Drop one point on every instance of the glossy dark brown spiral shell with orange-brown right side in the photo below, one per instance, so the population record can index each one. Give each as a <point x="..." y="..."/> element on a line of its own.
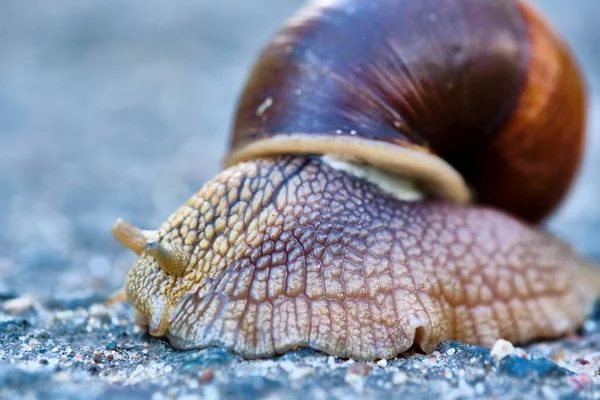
<point x="485" y="85"/>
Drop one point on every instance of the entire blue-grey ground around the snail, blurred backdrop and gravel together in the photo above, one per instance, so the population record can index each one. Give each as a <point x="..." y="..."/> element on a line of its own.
<point x="112" y="108"/>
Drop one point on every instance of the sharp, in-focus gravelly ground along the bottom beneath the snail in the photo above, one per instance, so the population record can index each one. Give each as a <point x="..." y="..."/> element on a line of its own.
<point x="94" y="352"/>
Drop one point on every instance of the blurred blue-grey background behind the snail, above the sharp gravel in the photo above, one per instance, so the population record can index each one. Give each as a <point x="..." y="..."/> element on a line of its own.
<point x="122" y="109"/>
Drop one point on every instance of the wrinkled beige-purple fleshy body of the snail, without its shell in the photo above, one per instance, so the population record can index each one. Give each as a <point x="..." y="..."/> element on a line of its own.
<point x="290" y="252"/>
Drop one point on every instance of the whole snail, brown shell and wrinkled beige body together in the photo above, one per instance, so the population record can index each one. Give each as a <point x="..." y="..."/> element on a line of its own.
<point x="345" y="219"/>
